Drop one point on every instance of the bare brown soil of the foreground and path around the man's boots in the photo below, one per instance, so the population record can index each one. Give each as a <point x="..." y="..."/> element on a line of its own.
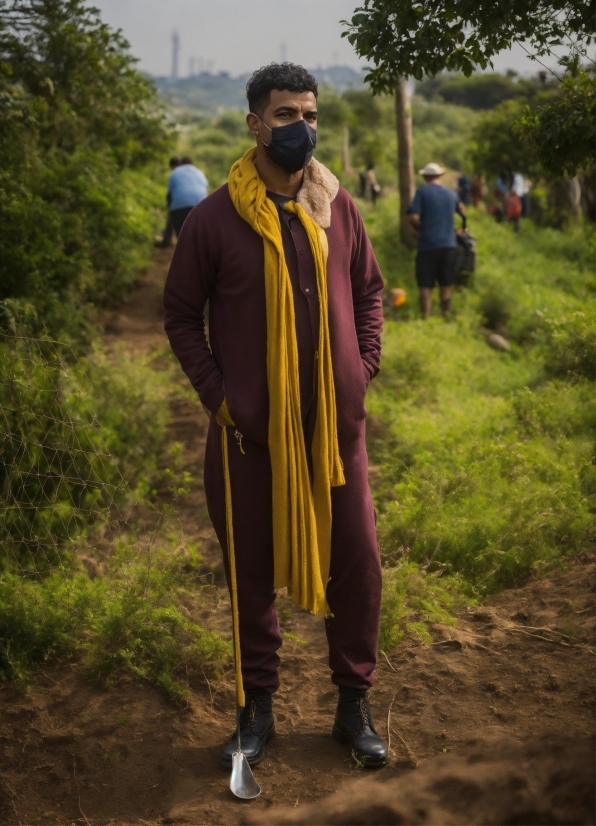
<point x="490" y="724"/>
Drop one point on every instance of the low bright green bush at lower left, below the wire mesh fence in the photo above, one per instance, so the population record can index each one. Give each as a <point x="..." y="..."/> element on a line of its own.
<point x="140" y="620"/>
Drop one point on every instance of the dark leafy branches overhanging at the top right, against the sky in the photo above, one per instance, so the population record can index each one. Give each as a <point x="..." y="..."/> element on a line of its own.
<point x="410" y="38"/>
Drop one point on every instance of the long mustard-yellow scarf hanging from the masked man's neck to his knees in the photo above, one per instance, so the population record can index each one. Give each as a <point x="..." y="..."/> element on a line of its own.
<point x="301" y="511"/>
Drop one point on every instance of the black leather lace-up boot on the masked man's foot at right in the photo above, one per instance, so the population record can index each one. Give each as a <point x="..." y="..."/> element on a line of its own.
<point x="354" y="725"/>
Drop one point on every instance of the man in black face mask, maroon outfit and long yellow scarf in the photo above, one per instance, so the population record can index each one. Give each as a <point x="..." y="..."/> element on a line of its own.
<point x="295" y="319"/>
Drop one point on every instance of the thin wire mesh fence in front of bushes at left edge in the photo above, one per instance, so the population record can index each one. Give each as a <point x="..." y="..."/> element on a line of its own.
<point x="60" y="486"/>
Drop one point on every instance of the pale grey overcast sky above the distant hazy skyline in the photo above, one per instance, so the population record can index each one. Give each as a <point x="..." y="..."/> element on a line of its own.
<point x="240" y="35"/>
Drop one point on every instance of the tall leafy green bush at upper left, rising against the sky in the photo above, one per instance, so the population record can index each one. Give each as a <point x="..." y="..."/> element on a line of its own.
<point x="77" y="124"/>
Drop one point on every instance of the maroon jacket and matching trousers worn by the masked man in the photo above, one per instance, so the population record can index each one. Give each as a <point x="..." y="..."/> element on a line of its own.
<point x="220" y="259"/>
